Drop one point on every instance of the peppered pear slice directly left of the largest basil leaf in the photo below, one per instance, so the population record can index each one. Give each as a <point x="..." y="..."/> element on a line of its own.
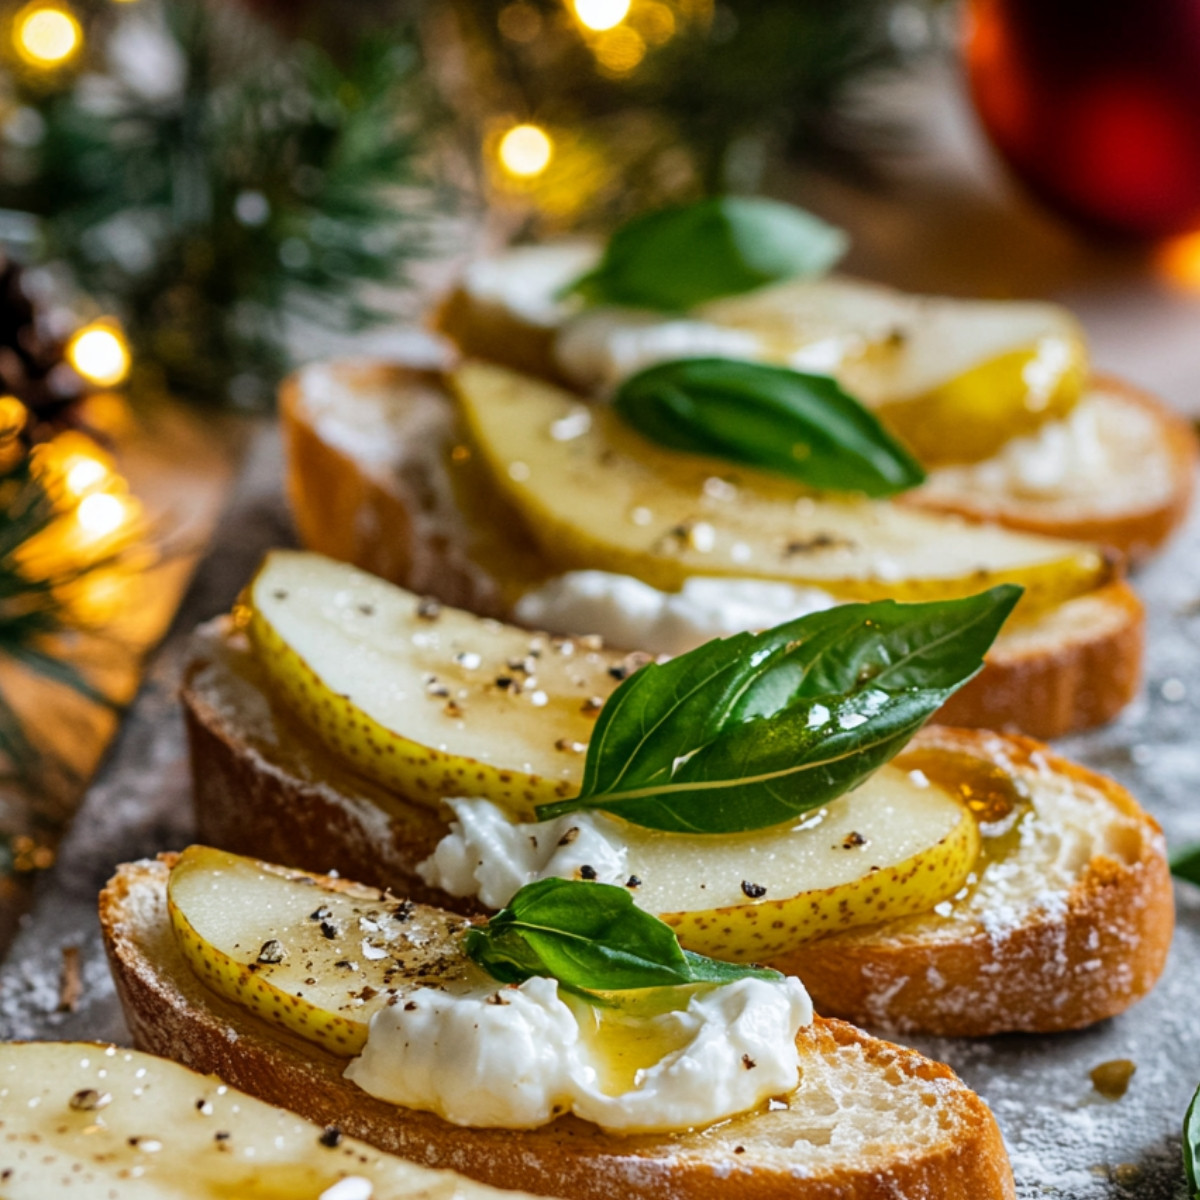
<point x="424" y="700"/>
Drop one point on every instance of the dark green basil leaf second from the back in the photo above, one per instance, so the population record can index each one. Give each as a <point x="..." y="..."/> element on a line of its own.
<point x="799" y="425"/>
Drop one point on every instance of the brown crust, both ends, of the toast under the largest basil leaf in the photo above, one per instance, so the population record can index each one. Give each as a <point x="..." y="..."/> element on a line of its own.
<point x="269" y="801"/>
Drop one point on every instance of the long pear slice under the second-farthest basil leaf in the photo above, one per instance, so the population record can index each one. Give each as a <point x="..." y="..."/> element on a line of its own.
<point x="607" y="499"/>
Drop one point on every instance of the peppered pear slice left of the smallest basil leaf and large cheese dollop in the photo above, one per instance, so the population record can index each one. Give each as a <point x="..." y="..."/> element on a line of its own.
<point x="314" y="961"/>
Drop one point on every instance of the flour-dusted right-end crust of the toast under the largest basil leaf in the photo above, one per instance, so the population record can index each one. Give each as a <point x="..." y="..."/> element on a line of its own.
<point x="1064" y="969"/>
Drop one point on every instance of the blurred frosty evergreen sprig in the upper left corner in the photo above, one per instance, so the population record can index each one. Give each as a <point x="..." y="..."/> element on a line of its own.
<point x="253" y="188"/>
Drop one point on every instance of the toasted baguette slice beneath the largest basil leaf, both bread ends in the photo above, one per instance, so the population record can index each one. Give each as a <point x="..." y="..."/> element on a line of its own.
<point x="1071" y="927"/>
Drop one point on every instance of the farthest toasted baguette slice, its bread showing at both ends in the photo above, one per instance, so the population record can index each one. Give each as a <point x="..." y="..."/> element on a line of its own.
<point x="1141" y="455"/>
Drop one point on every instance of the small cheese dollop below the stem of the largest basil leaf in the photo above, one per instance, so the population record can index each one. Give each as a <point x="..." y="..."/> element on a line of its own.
<point x="487" y="855"/>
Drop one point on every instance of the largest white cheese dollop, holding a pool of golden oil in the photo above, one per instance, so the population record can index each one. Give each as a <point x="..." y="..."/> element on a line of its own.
<point x="519" y="1058"/>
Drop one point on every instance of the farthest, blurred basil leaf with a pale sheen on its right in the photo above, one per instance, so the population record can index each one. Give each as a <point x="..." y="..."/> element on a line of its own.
<point x="677" y="259"/>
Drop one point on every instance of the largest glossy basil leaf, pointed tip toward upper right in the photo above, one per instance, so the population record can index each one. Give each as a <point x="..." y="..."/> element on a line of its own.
<point x="751" y="731"/>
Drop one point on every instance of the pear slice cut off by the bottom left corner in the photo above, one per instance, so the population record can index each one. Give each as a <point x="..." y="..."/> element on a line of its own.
<point x="95" y="1123"/>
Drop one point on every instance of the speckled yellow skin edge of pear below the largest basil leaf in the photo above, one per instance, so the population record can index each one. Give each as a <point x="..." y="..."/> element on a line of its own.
<point x="759" y="932"/>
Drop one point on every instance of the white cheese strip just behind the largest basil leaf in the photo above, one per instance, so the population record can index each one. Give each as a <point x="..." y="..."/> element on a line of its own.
<point x="628" y="613"/>
